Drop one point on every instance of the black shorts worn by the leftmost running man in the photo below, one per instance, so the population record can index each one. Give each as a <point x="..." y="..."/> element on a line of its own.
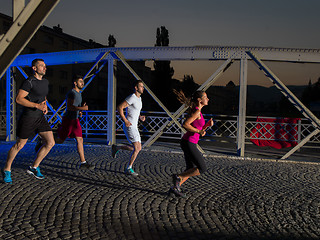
<point x="29" y="125"/>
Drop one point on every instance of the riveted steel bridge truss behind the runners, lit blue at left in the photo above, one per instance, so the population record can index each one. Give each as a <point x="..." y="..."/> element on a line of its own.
<point x="227" y="54"/>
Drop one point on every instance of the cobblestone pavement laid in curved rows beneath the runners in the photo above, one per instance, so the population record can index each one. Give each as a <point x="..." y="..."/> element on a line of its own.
<point x="235" y="199"/>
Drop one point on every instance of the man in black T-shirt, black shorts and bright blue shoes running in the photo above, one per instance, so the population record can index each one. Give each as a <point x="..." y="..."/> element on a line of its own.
<point x="32" y="96"/>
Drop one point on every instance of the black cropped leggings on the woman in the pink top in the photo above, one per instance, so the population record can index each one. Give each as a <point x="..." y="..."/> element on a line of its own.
<point x="193" y="156"/>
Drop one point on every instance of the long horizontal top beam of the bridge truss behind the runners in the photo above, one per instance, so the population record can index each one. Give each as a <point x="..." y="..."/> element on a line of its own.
<point x="175" y="53"/>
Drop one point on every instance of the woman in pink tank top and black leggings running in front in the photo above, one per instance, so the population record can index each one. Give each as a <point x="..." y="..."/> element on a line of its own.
<point x="196" y="127"/>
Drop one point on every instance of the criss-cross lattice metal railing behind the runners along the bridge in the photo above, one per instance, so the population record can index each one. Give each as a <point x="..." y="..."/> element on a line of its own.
<point x="95" y="123"/>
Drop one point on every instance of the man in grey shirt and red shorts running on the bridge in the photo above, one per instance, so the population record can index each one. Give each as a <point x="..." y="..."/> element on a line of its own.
<point x="70" y="126"/>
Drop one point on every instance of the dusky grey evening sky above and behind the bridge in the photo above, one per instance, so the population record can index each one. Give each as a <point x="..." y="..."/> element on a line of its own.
<point x="263" y="23"/>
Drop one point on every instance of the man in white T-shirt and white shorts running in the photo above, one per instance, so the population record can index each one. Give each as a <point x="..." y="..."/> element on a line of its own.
<point x="133" y="104"/>
